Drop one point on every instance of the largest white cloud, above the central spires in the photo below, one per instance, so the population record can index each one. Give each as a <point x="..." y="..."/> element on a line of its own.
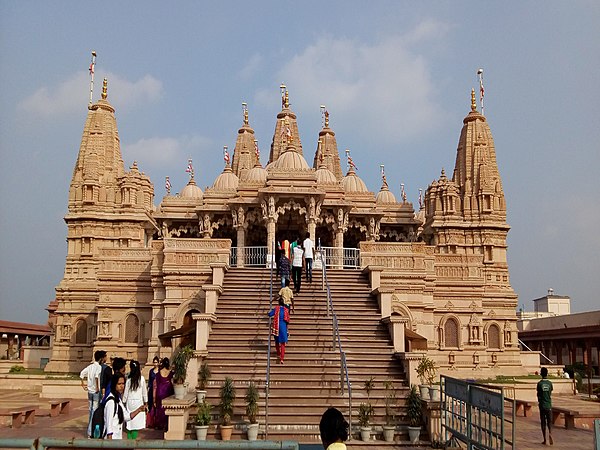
<point x="385" y="87"/>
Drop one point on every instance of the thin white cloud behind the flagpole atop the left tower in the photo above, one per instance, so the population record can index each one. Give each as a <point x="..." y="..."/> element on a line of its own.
<point x="72" y="95"/>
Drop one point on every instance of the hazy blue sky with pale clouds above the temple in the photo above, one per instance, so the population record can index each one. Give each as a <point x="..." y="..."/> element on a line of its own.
<point x="395" y="75"/>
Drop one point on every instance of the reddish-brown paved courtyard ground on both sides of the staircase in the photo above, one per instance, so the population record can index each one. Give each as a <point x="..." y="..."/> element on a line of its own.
<point x="74" y="425"/>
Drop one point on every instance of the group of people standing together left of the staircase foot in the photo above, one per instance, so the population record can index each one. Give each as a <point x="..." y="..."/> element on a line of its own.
<point x="128" y="402"/>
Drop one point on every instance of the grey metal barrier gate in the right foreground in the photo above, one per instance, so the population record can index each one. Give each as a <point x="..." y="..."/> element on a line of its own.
<point x="478" y="415"/>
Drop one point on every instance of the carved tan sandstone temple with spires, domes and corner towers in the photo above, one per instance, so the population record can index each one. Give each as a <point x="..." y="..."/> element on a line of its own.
<point x="141" y="279"/>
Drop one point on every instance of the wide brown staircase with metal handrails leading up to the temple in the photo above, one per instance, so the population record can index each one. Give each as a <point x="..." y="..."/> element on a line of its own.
<point x="309" y="380"/>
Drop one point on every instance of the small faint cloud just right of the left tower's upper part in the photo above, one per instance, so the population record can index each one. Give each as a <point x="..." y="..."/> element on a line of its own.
<point x="166" y="152"/>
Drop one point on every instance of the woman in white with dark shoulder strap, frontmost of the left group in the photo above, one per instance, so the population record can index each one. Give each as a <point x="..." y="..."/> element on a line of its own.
<point x="115" y="411"/>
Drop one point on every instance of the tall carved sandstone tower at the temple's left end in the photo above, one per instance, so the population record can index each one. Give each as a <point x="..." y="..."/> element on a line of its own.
<point x="109" y="208"/>
